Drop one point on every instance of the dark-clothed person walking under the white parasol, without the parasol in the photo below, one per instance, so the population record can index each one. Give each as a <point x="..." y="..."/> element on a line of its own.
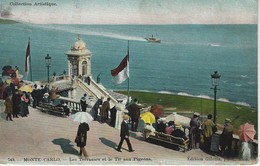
<point x="81" y="138"/>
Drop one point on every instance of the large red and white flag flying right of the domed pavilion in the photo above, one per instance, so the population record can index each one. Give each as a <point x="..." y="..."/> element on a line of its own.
<point x="121" y="73"/>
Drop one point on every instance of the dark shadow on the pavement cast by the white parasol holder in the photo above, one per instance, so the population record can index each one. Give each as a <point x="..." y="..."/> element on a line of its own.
<point x="65" y="146"/>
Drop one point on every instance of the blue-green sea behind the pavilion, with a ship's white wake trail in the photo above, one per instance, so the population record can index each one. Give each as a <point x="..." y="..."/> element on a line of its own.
<point x="181" y="64"/>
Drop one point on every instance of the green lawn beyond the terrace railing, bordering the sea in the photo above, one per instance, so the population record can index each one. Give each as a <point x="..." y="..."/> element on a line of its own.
<point x="202" y="106"/>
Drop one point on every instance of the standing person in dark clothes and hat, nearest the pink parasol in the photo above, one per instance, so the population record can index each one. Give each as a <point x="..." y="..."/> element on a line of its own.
<point x="226" y="137"/>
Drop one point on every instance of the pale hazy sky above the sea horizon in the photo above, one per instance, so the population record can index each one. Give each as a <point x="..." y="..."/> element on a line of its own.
<point x="133" y="11"/>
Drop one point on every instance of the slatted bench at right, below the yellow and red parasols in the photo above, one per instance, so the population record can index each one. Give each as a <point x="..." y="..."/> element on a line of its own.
<point x="168" y="139"/>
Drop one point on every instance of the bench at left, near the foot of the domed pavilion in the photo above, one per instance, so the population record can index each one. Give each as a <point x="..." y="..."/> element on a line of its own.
<point x="51" y="109"/>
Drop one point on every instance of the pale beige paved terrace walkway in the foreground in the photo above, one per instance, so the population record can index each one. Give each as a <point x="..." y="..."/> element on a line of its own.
<point x="47" y="139"/>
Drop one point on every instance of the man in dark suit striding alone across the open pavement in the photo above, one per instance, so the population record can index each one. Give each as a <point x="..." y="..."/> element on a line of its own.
<point x="124" y="134"/>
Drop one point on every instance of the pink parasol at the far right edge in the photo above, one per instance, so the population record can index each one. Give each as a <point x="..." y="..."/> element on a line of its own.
<point x="247" y="132"/>
